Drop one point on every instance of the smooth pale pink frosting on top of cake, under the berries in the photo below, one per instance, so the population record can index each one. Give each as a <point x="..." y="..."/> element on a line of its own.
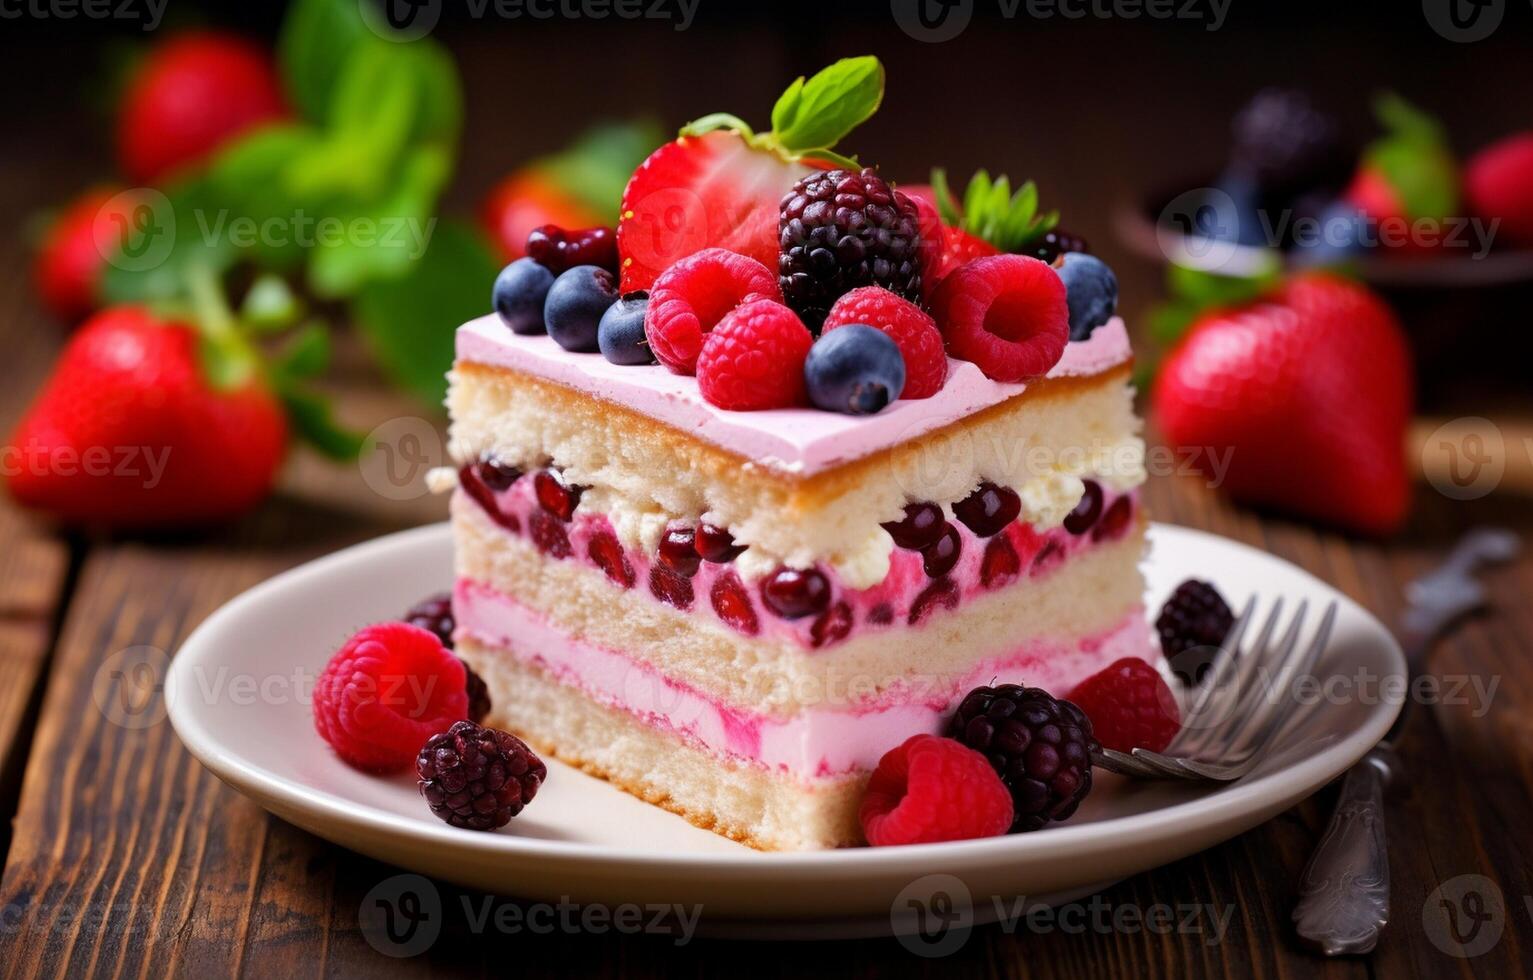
<point x="799" y="441"/>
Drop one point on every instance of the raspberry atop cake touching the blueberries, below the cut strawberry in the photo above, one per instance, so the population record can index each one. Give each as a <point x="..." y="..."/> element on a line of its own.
<point x="692" y="297"/>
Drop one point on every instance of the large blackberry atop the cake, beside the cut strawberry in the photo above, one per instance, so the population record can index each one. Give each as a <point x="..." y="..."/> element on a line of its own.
<point x="839" y="231"/>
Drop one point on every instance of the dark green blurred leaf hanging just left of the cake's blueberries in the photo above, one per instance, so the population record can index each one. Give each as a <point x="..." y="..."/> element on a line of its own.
<point x="410" y="321"/>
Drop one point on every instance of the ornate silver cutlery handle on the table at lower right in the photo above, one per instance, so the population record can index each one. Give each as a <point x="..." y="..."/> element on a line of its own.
<point x="1344" y="896"/>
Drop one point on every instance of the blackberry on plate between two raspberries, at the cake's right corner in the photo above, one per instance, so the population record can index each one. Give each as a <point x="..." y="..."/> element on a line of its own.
<point x="1040" y="745"/>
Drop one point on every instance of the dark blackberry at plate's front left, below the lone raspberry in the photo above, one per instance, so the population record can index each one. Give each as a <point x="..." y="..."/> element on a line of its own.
<point x="478" y="778"/>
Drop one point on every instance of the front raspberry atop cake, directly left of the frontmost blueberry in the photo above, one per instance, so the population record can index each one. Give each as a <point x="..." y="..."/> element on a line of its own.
<point x="755" y="360"/>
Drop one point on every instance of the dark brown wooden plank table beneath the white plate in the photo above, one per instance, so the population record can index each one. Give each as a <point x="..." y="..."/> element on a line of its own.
<point x="125" y="858"/>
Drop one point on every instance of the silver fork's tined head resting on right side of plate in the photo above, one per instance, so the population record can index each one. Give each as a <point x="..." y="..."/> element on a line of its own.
<point x="1244" y="720"/>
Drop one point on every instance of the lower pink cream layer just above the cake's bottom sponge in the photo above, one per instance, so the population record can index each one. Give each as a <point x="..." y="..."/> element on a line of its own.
<point x="822" y="742"/>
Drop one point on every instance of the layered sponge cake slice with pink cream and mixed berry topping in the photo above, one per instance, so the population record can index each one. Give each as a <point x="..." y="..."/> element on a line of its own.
<point x="729" y="539"/>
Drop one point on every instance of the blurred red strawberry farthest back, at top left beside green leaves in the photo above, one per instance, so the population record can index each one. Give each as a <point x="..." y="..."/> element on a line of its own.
<point x="194" y="94"/>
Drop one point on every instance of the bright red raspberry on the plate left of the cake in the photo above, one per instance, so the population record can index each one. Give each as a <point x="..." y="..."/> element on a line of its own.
<point x="386" y="692"/>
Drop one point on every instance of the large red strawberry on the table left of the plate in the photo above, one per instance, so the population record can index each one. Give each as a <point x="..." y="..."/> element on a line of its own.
<point x="130" y="432"/>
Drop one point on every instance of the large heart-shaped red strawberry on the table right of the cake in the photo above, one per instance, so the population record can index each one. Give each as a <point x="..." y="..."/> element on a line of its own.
<point x="1308" y="393"/>
